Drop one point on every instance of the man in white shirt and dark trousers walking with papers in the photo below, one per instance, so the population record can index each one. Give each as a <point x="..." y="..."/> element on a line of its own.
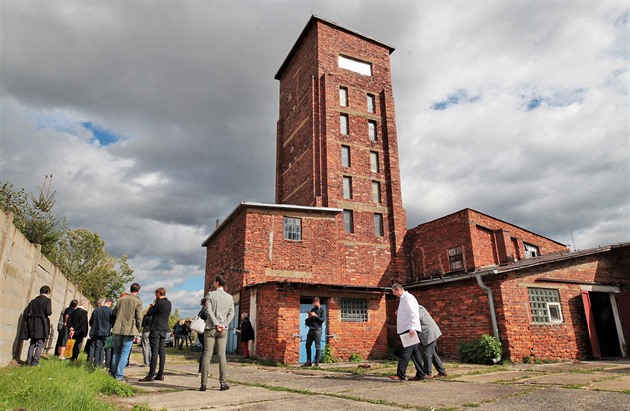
<point x="407" y="321"/>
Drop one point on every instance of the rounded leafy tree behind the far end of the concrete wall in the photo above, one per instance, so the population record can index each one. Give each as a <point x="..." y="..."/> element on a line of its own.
<point x="81" y="256"/>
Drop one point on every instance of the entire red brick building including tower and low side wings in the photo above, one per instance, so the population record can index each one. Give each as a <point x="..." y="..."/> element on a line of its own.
<point x="338" y="231"/>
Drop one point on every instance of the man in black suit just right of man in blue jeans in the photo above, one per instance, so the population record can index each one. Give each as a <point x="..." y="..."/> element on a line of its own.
<point x="160" y="311"/>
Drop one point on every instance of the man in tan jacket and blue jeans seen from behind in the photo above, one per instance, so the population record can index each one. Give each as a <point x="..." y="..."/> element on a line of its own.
<point x="128" y="319"/>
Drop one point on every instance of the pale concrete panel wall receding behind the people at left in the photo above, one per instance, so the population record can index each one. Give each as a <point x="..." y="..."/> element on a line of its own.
<point x="23" y="270"/>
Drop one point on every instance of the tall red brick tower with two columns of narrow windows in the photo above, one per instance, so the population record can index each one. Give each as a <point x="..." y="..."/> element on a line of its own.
<point x="336" y="138"/>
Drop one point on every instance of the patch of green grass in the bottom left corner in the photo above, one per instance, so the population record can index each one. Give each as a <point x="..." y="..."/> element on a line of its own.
<point x="59" y="385"/>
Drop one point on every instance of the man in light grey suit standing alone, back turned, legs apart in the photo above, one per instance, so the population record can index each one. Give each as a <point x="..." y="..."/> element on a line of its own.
<point x="220" y="308"/>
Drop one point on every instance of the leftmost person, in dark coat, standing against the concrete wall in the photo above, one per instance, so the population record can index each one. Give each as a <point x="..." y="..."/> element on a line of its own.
<point x="38" y="324"/>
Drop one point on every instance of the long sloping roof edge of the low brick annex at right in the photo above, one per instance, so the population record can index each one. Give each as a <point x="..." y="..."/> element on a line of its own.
<point x="519" y="265"/>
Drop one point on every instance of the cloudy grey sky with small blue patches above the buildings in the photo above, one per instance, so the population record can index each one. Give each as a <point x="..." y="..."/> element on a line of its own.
<point x="157" y="118"/>
